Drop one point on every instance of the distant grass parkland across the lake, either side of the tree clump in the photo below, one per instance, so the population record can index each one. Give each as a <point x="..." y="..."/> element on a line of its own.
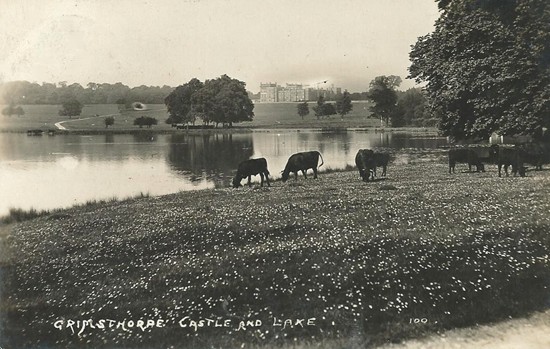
<point x="267" y="115"/>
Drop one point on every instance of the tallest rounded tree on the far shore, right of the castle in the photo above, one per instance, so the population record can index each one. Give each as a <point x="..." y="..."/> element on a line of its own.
<point x="382" y="92"/>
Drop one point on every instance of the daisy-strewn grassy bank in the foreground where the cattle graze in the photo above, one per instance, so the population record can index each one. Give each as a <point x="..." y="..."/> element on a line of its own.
<point x="364" y="259"/>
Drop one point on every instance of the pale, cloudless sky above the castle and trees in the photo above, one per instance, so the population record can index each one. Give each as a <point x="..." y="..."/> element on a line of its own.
<point x="168" y="42"/>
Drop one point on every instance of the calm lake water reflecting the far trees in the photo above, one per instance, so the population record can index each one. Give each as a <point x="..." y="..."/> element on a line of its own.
<point x="50" y="172"/>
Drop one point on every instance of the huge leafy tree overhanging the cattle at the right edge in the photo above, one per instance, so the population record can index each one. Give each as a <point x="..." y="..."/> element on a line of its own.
<point x="487" y="67"/>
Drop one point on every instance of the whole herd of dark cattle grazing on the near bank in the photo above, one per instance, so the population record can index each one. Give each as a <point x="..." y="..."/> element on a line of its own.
<point x="368" y="160"/>
